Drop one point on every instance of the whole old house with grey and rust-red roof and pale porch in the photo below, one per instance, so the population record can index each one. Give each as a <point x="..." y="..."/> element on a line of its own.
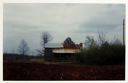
<point x="61" y="51"/>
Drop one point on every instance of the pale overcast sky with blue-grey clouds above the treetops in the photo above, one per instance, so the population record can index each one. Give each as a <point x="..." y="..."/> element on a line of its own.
<point x="28" y="21"/>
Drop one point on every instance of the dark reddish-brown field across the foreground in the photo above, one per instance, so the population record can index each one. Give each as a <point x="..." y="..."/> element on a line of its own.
<point x="38" y="71"/>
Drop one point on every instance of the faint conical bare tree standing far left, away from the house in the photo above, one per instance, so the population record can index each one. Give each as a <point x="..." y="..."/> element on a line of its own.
<point x="23" y="48"/>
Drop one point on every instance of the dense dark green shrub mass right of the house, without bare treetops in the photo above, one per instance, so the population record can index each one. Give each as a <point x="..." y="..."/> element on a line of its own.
<point x="104" y="55"/>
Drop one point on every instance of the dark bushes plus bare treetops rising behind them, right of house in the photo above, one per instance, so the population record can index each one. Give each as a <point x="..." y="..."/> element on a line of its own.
<point x="102" y="52"/>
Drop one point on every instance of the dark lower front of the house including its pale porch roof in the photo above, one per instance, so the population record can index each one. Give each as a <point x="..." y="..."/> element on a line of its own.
<point x="59" y="54"/>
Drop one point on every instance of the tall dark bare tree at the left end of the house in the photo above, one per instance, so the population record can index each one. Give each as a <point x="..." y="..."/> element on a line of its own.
<point x="45" y="38"/>
